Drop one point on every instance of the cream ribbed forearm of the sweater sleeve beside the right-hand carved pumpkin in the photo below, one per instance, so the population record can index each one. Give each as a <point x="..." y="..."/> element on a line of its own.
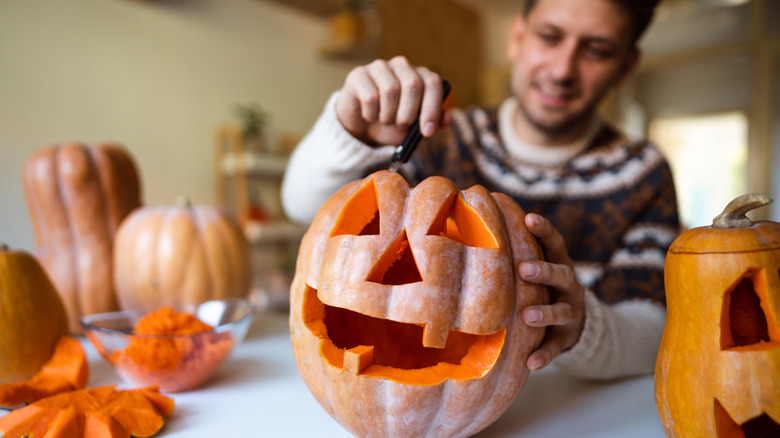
<point x="618" y="340"/>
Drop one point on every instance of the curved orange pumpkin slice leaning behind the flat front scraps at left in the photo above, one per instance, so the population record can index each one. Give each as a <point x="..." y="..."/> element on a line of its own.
<point x="65" y="371"/>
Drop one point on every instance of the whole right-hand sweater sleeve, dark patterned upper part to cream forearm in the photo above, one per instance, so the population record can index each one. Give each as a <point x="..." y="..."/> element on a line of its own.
<point x="625" y="309"/>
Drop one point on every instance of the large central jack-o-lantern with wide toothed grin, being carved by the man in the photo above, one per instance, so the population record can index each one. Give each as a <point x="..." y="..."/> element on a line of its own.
<point x="405" y="307"/>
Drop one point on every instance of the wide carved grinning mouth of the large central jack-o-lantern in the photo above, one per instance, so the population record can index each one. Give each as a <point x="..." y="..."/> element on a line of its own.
<point x="382" y="348"/>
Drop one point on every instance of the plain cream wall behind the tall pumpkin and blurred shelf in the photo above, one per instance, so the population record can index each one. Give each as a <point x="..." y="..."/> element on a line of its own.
<point x="156" y="76"/>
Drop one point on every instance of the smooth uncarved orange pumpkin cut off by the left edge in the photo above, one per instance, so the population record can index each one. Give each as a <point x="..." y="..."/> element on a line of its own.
<point x="32" y="316"/>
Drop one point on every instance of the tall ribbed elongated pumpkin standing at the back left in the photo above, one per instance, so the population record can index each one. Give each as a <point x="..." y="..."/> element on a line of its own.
<point x="77" y="195"/>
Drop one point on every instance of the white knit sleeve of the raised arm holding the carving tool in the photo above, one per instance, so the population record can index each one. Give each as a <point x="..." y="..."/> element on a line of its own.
<point x="327" y="158"/>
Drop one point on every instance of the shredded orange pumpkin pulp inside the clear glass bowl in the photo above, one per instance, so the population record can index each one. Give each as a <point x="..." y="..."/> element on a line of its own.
<point x="173" y="362"/>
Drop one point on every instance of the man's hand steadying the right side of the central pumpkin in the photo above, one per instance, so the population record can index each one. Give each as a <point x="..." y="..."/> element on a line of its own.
<point x="565" y="315"/>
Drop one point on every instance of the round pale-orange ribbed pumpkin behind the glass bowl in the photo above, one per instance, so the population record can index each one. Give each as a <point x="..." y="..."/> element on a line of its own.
<point x="171" y="255"/>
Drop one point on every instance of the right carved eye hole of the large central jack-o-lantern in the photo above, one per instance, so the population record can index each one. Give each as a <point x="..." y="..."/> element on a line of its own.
<point x="458" y="221"/>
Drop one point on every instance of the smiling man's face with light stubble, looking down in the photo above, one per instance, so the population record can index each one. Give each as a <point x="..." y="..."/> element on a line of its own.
<point x="566" y="55"/>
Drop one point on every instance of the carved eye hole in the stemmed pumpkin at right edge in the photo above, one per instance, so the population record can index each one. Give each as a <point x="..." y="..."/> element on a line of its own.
<point x="746" y="318"/>
